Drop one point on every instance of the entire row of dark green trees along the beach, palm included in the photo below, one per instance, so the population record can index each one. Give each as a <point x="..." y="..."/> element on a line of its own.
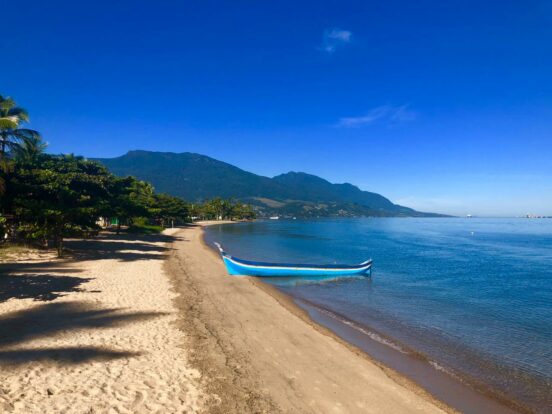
<point x="46" y="198"/>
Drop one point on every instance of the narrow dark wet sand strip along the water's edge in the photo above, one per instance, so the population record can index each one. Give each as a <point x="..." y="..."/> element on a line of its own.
<point x="412" y="370"/>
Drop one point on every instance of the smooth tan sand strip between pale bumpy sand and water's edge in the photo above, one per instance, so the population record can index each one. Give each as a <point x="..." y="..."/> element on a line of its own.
<point x="259" y="351"/>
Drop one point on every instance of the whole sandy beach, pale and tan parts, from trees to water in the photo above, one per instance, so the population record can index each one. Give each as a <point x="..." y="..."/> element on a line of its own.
<point x="154" y="324"/>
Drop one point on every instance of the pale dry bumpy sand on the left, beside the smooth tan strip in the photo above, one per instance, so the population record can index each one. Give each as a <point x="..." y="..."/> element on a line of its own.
<point x="112" y="348"/>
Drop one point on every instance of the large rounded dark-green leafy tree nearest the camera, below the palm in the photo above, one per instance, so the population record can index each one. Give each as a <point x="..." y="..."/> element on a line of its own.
<point x="62" y="197"/>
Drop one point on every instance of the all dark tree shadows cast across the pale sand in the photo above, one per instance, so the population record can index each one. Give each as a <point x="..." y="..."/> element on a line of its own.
<point x="47" y="280"/>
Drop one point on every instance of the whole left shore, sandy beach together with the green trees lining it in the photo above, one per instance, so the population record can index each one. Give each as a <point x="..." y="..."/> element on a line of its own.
<point x="137" y="319"/>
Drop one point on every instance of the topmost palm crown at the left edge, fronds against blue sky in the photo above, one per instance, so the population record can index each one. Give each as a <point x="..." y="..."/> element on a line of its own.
<point x="11" y="117"/>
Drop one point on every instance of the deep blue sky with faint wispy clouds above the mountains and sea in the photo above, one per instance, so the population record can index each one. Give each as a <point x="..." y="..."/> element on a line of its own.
<point x="439" y="105"/>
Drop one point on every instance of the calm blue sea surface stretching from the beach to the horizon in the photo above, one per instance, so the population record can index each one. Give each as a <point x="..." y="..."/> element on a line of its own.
<point x="471" y="297"/>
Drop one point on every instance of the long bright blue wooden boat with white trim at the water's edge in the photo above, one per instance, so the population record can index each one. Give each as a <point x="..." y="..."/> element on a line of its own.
<point x="243" y="267"/>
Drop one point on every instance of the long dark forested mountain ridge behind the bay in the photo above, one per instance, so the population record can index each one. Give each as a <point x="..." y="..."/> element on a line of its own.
<point x="196" y="177"/>
